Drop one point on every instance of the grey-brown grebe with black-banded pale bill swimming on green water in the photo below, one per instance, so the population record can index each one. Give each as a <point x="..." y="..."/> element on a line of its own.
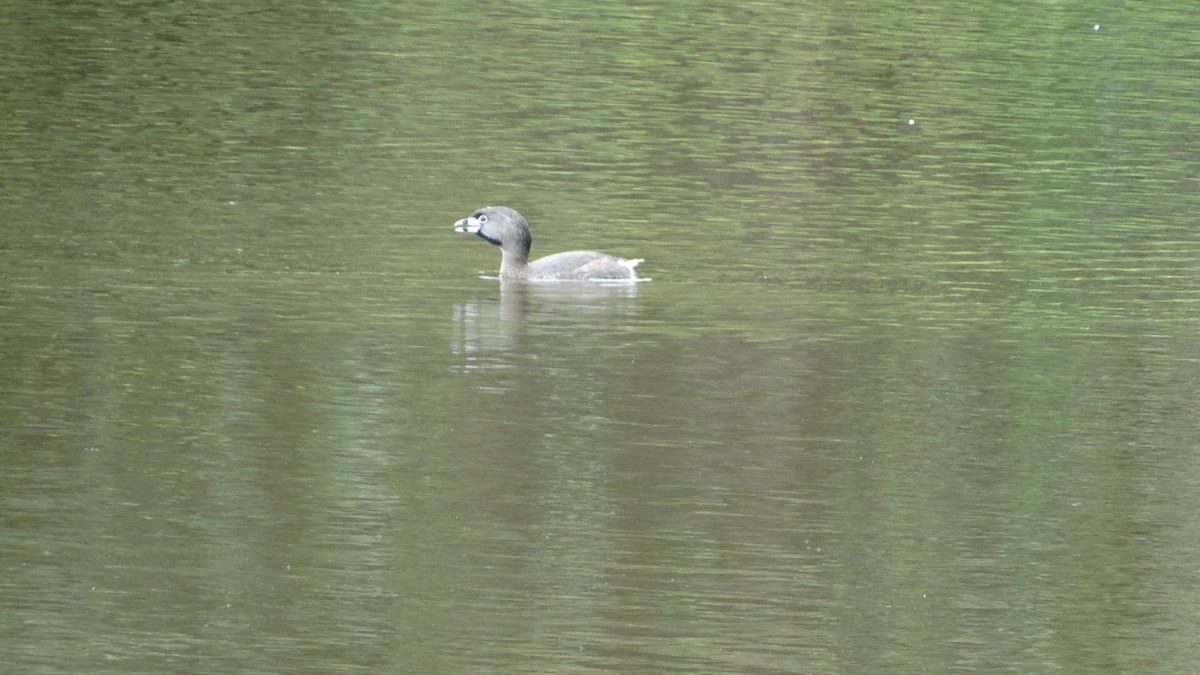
<point x="509" y="230"/>
